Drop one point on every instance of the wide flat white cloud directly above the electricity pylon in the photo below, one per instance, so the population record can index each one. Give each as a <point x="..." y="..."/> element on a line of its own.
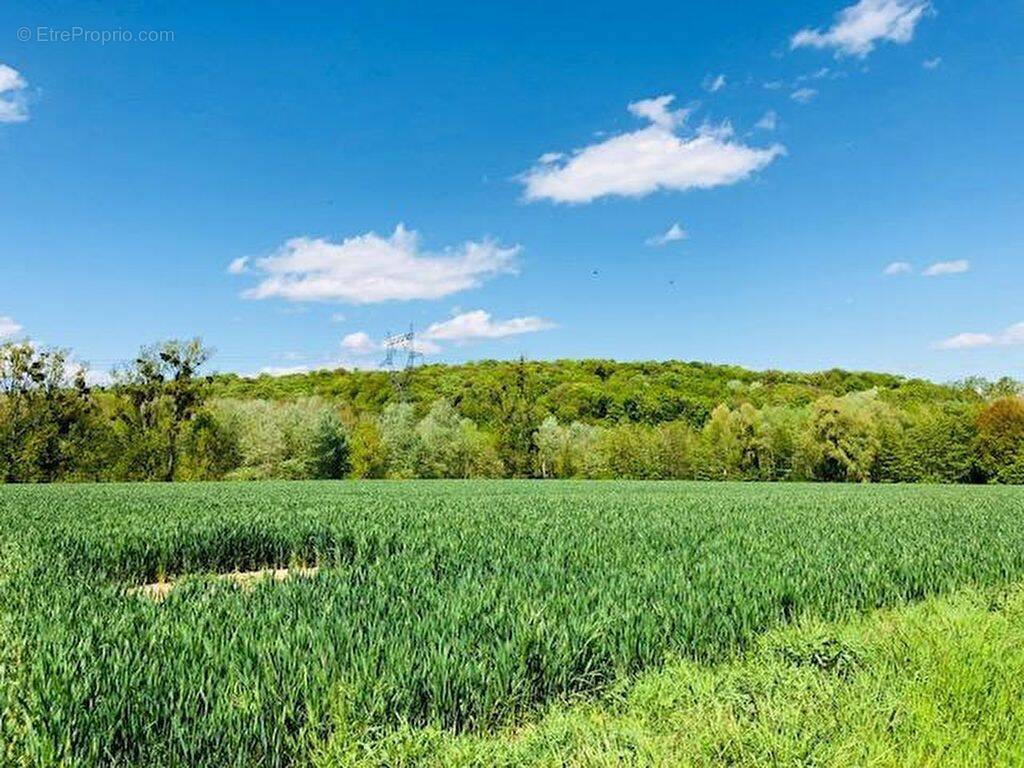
<point x="369" y="269"/>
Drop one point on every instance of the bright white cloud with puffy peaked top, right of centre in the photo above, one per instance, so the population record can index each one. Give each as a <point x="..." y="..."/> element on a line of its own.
<point x="654" y="158"/>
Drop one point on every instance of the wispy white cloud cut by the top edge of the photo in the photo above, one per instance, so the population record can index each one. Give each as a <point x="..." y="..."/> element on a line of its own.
<point x="860" y="27"/>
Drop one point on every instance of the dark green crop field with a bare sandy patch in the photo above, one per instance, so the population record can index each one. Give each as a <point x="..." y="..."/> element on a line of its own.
<point x="453" y="608"/>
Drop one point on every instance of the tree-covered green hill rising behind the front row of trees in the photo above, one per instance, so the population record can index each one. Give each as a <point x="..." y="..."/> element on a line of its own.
<point x="596" y="392"/>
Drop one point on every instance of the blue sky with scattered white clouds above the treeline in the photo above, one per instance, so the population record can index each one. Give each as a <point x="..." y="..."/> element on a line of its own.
<point x="361" y="167"/>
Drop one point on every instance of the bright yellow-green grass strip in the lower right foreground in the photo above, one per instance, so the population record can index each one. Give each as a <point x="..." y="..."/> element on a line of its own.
<point x="941" y="684"/>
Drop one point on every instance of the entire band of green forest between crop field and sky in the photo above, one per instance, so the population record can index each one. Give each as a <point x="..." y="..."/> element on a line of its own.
<point x="164" y="418"/>
